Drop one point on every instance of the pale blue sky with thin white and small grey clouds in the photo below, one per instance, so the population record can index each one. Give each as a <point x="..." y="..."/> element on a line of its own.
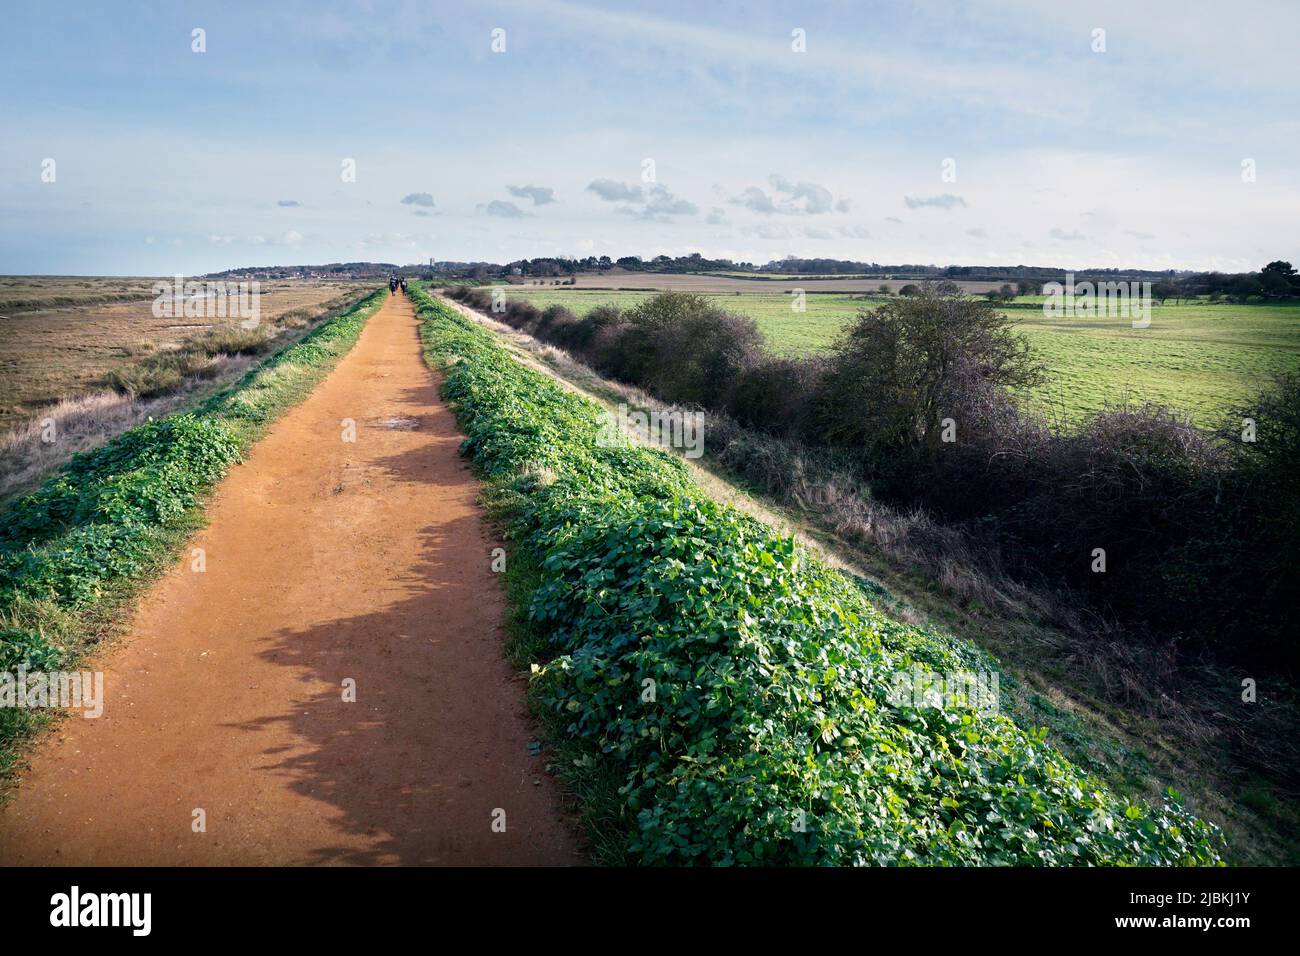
<point x="1061" y="133"/>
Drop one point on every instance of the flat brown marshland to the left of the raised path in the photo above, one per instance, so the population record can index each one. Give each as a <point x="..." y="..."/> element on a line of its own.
<point x="66" y="348"/>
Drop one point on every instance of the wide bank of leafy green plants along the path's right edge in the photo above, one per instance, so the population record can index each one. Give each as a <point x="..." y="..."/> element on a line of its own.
<point x="734" y="689"/>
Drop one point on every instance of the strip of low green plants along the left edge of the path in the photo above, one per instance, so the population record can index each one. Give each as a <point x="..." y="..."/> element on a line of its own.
<point x="75" y="551"/>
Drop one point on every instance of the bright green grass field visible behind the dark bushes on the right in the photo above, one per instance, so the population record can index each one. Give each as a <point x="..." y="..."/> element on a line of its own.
<point x="1198" y="358"/>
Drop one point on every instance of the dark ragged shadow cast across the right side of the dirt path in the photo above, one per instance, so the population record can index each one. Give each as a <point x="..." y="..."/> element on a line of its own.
<point x="437" y="741"/>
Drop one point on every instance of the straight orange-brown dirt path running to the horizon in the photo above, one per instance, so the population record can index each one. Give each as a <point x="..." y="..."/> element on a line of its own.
<point x="326" y="561"/>
